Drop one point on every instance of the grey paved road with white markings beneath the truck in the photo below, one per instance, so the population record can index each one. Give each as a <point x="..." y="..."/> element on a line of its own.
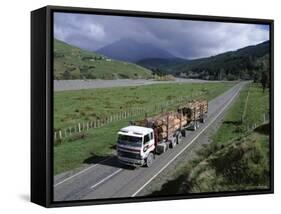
<point x="109" y="179"/>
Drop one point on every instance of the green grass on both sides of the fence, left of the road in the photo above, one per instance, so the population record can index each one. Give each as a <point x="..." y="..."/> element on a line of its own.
<point x="98" y="143"/>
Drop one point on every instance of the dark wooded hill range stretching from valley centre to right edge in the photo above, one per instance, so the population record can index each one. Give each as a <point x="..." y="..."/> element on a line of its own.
<point x="245" y="63"/>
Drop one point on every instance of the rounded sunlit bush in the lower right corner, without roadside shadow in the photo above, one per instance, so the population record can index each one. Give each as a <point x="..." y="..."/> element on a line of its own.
<point x="242" y="164"/>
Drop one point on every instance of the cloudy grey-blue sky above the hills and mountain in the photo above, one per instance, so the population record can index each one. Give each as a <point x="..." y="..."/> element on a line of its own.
<point x="186" y="39"/>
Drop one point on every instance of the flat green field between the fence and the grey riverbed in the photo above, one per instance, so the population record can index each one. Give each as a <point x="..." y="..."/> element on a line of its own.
<point x="72" y="107"/>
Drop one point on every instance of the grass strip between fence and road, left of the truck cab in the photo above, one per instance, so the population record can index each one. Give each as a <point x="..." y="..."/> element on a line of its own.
<point x="96" y="144"/>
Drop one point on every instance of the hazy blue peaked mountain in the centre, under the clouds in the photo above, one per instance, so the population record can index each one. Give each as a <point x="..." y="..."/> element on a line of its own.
<point x="132" y="51"/>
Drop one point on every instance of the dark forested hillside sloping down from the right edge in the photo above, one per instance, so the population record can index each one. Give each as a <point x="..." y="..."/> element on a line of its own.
<point x="245" y="63"/>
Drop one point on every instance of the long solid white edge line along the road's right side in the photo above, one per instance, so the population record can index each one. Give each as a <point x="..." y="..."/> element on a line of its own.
<point x="164" y="167"/>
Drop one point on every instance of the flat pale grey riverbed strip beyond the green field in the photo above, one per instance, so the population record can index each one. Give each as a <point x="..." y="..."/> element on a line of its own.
<point x="64" y="85"/>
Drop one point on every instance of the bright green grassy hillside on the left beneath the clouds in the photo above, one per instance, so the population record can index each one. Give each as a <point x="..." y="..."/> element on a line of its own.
<point x="74" y="63"/>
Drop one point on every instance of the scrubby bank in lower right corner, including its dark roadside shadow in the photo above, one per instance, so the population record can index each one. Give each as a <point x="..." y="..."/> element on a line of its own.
<point x="240" y="165"/>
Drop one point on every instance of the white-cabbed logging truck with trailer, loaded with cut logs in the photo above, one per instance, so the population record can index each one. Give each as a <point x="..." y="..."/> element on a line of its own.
<point x="139" y="142"/>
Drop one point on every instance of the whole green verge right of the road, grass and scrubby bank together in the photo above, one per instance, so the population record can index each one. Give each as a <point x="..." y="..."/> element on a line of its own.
<point x="236" y="159"/>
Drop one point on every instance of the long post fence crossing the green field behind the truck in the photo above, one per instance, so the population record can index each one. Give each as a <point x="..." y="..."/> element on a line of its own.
<point x="82" y="127"/>
